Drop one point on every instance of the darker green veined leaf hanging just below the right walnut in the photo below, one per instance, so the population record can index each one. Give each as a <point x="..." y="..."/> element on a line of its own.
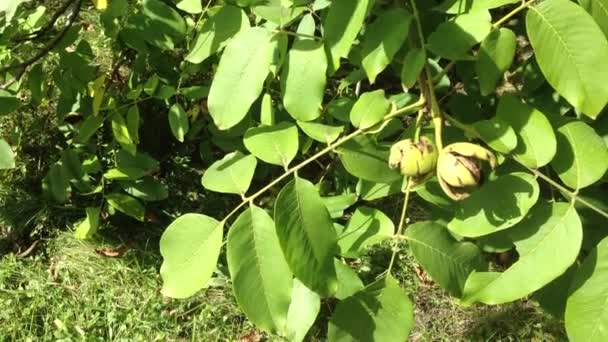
<point x="447" y="261"/>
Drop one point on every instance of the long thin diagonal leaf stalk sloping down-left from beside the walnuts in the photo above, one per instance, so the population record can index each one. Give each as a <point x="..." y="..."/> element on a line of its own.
<point x="397" y="112"/>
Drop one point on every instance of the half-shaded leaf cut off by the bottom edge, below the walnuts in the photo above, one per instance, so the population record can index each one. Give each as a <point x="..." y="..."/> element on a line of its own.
<point x="379" y="312"/>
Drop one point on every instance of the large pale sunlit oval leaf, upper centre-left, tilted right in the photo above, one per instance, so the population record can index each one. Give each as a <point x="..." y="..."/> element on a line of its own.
<point x="243" y="68"/>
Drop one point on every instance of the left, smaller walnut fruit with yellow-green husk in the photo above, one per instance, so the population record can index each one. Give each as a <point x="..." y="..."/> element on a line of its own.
<point x="414" y="159"/>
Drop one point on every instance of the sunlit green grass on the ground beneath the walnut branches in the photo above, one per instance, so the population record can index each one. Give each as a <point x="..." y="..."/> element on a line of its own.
<point x="70" y="292"/>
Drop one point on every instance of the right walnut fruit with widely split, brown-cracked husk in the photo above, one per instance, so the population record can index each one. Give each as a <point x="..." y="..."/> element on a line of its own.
<point x="459" y="168"/>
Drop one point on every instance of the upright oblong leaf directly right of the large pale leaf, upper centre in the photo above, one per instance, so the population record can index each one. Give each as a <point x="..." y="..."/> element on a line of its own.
<point x="304" y="79"/>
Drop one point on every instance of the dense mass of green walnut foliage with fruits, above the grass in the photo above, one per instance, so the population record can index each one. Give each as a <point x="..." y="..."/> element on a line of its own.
<point x="311" y="111"/>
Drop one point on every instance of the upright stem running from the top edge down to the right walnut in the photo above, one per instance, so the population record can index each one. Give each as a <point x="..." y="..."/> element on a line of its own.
<point x="427" y="86"/>
